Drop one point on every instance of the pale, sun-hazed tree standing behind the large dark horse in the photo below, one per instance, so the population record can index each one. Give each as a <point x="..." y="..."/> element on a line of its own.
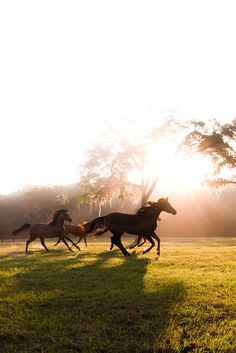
<point x="117" y="167"/>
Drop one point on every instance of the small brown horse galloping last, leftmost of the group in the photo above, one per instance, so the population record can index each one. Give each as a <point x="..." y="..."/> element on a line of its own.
<point x="54" y="228"/>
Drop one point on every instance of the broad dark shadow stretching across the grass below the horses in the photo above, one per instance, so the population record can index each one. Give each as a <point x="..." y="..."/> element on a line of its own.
<point x="103" y="304"/>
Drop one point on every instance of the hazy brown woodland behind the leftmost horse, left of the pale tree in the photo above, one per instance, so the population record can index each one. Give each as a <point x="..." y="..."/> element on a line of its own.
<point x="37" y="204"/>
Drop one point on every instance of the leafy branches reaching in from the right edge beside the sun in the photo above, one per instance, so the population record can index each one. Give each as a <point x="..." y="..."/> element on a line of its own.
<point x="217" y="142"/>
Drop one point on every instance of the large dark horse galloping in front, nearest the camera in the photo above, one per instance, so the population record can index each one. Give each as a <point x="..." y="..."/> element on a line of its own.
<point x="143" y="224"/>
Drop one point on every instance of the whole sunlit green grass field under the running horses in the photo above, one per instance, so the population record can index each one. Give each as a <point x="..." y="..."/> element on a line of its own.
<point x="99" y="301"/>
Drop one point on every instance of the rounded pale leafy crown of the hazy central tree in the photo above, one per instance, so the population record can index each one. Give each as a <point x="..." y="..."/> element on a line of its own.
<point x="107" y="169"/>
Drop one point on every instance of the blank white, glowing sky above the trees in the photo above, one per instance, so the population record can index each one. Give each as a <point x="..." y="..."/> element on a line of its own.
<point x="67" y="66"/>
